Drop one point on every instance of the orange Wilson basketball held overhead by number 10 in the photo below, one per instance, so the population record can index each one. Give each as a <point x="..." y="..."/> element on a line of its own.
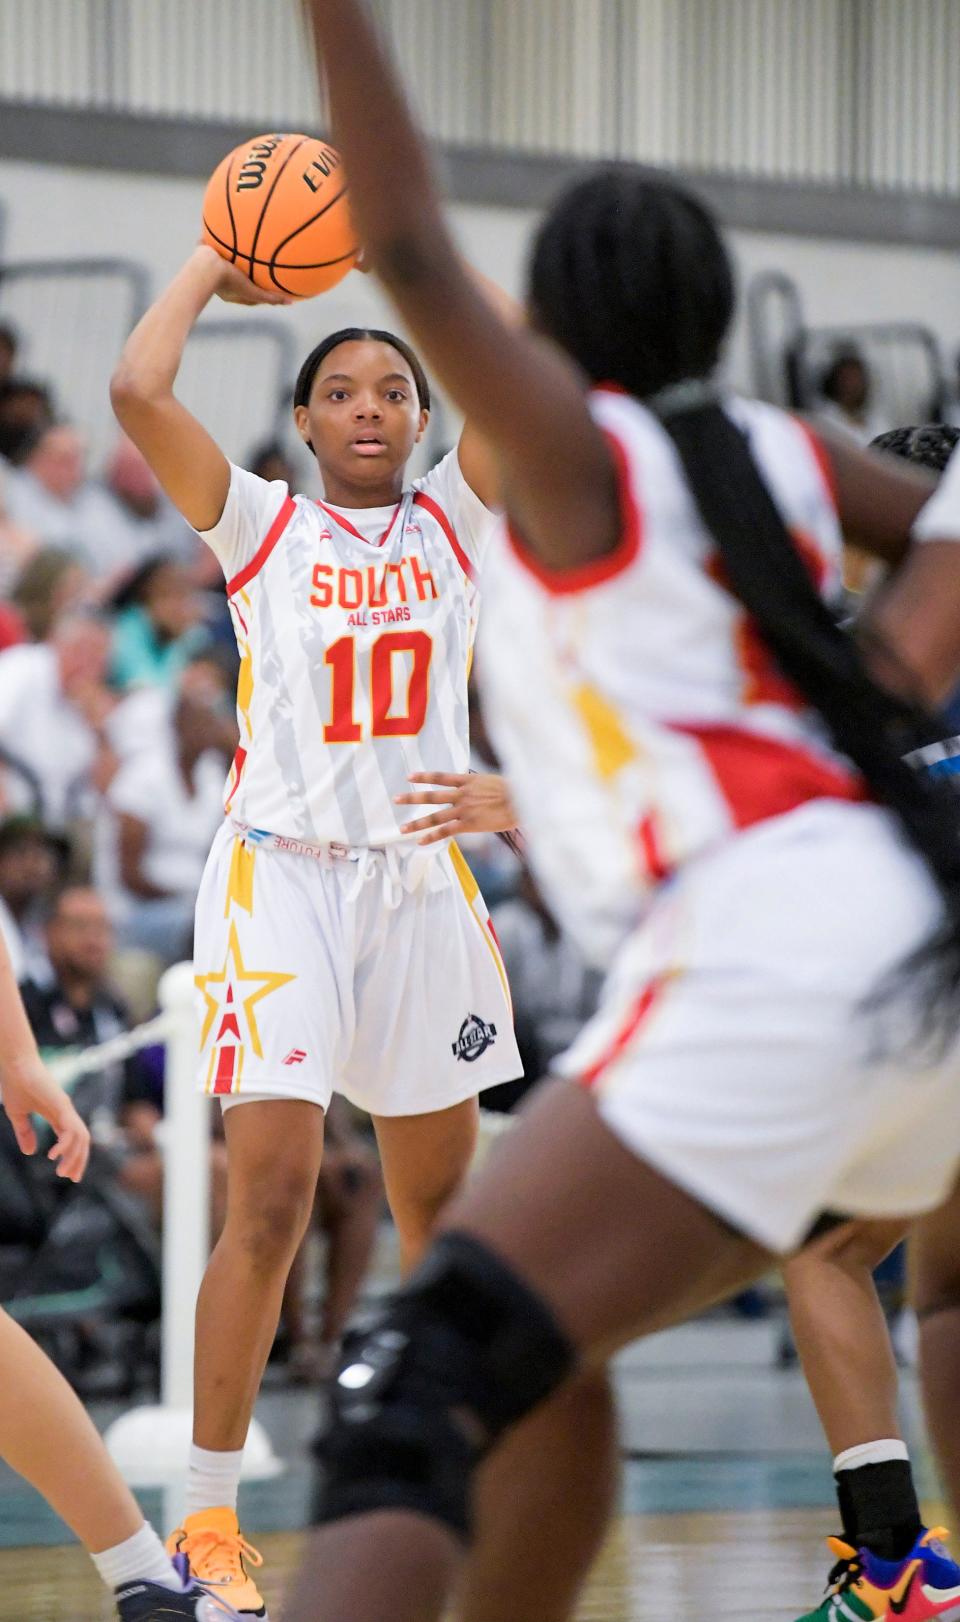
<point x="278" y="210"/>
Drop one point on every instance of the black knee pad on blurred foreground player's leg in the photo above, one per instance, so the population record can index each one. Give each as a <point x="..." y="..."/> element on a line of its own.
<point x="429" y="1384"/>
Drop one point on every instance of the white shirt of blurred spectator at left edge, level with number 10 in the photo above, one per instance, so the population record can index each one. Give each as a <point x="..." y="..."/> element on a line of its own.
<point x="46" y="734"/>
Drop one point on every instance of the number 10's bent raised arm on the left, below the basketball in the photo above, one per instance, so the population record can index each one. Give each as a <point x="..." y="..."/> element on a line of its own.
<point x="189" y="463"/>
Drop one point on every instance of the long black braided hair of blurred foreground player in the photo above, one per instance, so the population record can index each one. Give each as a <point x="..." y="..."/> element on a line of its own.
<point x="630" y="275"/>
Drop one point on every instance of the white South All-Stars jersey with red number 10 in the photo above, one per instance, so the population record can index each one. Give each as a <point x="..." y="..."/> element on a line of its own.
<point x="356" y="633"/>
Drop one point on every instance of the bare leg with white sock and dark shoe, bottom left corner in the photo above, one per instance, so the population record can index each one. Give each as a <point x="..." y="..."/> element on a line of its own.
<point x="48" y="1438"/>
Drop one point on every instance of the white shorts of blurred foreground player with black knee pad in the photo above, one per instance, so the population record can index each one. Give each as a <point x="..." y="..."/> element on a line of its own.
<point x="734" y="1050"/>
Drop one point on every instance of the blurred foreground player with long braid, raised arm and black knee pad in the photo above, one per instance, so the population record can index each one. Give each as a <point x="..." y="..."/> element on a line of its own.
<point x="716" y="805"/>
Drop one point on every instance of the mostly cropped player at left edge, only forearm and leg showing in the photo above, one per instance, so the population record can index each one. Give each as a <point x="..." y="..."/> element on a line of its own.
<point x="45" y="1433"/>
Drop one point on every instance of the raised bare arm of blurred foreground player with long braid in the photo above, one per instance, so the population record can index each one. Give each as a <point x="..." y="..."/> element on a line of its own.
<point x="515" y="388"/>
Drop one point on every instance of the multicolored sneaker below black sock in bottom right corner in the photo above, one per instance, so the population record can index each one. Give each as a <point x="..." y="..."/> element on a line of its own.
<point x="865" y="1589"/>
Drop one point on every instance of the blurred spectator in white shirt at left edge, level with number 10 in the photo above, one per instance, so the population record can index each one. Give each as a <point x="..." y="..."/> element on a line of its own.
<point x="54" y="721"/>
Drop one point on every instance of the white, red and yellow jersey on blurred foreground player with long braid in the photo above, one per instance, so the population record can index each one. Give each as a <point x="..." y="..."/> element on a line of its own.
<point x="633" y="705"/>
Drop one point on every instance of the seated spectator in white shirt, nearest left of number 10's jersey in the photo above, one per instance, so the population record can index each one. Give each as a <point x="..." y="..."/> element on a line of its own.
<point x="163" y="810"/>
